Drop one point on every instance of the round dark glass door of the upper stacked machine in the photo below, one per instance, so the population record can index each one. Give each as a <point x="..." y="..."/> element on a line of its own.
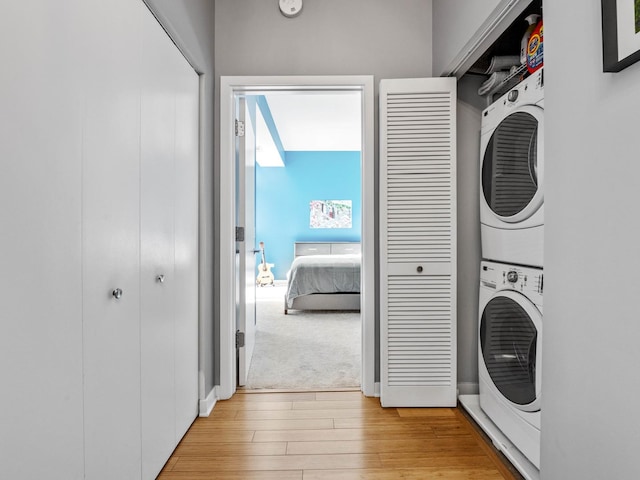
<point x="509" y="167"/>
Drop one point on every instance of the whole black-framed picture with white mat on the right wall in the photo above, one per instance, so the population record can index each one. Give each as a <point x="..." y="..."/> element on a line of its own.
<point x="620" y="34"/>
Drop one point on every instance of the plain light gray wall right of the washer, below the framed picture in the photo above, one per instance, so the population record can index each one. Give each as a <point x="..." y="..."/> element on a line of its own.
<point x="590" y="418"/>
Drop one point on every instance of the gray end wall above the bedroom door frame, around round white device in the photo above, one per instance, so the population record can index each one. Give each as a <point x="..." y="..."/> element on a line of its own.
<point x="330" y="37"/>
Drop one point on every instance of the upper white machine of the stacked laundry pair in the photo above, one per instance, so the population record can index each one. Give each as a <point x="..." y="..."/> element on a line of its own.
<point x="512" y="175"/>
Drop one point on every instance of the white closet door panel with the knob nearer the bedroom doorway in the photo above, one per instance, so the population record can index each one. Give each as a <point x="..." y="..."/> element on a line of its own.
<point x="157" y="280"/>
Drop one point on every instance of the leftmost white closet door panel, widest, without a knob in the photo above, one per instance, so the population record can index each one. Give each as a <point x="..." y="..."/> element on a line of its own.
<point x="41" y="421"/>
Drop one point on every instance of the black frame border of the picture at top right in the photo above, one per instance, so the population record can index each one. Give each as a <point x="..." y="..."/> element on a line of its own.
<point x="611" y="35"/>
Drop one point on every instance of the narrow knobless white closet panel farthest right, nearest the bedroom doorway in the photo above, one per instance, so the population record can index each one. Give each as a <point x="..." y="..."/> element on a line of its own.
<point x="186" y="247"/>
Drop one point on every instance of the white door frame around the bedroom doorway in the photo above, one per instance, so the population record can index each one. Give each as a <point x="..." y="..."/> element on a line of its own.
<point x="229" y="88"/>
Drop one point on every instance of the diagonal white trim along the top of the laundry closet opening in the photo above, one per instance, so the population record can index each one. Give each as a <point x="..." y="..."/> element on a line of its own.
<point x="502" y="16"/>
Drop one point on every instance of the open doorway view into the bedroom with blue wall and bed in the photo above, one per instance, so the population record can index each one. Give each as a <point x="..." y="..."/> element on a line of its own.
<point x="308" y="230"/>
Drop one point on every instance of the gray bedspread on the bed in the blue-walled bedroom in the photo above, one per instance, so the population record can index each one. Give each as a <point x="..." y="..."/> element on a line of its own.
<point x="323" y="274"/>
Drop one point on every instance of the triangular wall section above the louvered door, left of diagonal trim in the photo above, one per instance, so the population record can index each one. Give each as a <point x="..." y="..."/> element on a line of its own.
<point x="455" y="23"/>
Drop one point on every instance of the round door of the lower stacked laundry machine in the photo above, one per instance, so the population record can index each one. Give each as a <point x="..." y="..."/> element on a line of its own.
<point x="510" y="346"/>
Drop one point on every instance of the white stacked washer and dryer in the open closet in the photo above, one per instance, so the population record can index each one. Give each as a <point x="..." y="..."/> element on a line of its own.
<point x="511" y="277"/>
